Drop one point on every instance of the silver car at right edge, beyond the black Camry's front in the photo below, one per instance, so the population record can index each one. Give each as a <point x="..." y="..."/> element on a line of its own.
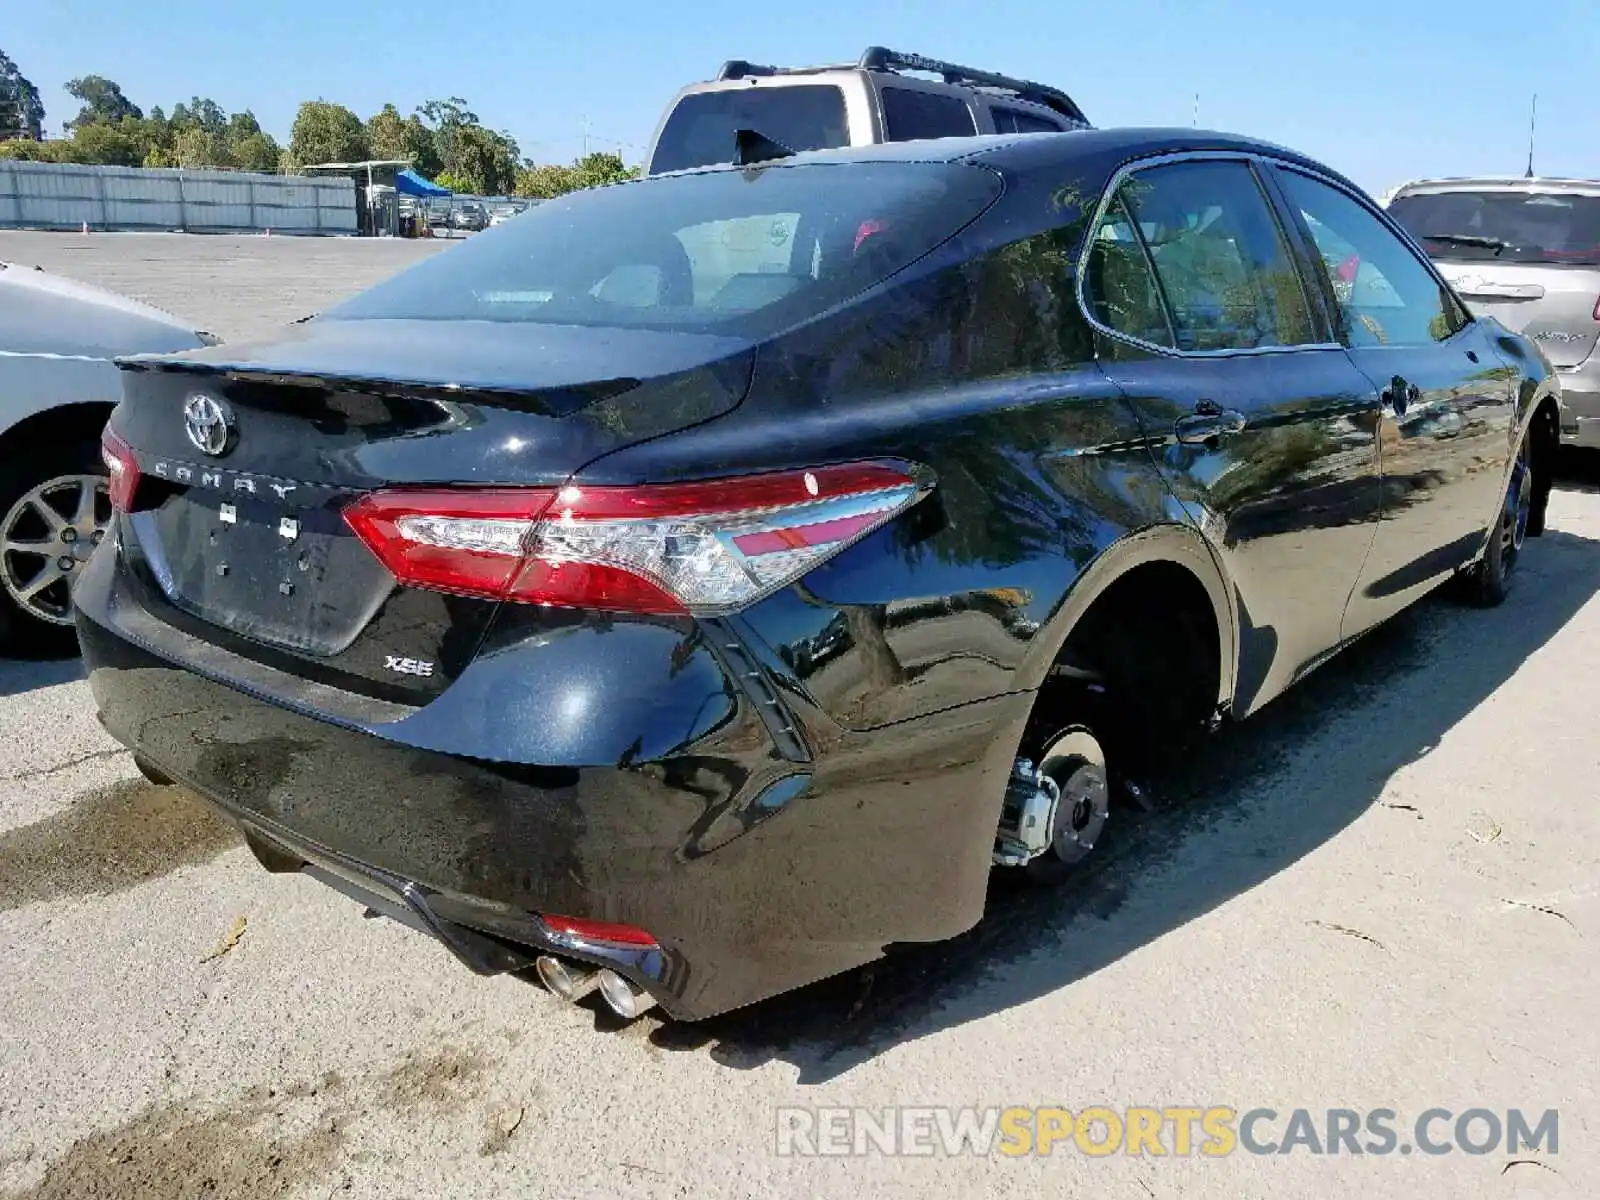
<point x="1529" y="254"/>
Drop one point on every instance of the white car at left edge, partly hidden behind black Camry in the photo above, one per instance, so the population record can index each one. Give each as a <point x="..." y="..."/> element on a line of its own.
<point x="58" y="385"/>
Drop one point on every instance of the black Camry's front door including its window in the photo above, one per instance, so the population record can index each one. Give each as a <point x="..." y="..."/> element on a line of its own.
<point x="1447" y="396"/>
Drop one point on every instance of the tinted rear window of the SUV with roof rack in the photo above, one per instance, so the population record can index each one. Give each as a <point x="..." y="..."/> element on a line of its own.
<point x="703" y="124"/>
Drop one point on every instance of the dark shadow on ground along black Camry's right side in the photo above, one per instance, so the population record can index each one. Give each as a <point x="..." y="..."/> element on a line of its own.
<point x="1263" y="796"/>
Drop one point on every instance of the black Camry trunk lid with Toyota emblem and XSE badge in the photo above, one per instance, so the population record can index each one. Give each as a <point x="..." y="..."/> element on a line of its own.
<point x="244" y="542"/>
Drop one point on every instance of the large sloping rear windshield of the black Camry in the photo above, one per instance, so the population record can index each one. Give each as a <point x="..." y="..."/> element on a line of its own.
<point x="740" y="254"/>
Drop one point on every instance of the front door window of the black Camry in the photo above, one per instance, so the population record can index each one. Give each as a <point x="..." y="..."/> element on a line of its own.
<point x="1385" y="292"/>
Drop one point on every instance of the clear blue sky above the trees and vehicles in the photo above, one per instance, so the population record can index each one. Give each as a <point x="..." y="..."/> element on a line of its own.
<point x="1383" y="90"/>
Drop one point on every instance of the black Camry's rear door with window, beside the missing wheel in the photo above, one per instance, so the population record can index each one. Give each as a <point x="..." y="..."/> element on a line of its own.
<point x="1263" y="426"/>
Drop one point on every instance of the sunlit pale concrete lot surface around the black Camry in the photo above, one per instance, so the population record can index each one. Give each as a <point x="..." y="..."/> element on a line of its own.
<point x="1383" y="894"/>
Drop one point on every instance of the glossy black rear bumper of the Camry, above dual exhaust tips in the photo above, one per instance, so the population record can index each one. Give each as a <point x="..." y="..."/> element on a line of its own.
<point x="756" y="873"/>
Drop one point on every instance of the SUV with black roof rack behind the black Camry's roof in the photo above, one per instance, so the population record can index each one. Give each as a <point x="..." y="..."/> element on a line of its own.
<point x="886" y="97"/>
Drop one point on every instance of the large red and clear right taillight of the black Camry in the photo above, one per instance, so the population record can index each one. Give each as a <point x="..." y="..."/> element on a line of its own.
<point x="674" y="548"/>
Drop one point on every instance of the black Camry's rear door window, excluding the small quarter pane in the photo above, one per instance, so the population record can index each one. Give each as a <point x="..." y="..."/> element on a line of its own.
<point x="1222" y="260"/>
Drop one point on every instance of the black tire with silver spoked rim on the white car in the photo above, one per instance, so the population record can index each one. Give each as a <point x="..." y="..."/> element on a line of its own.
<point x="44" y="626"/>
